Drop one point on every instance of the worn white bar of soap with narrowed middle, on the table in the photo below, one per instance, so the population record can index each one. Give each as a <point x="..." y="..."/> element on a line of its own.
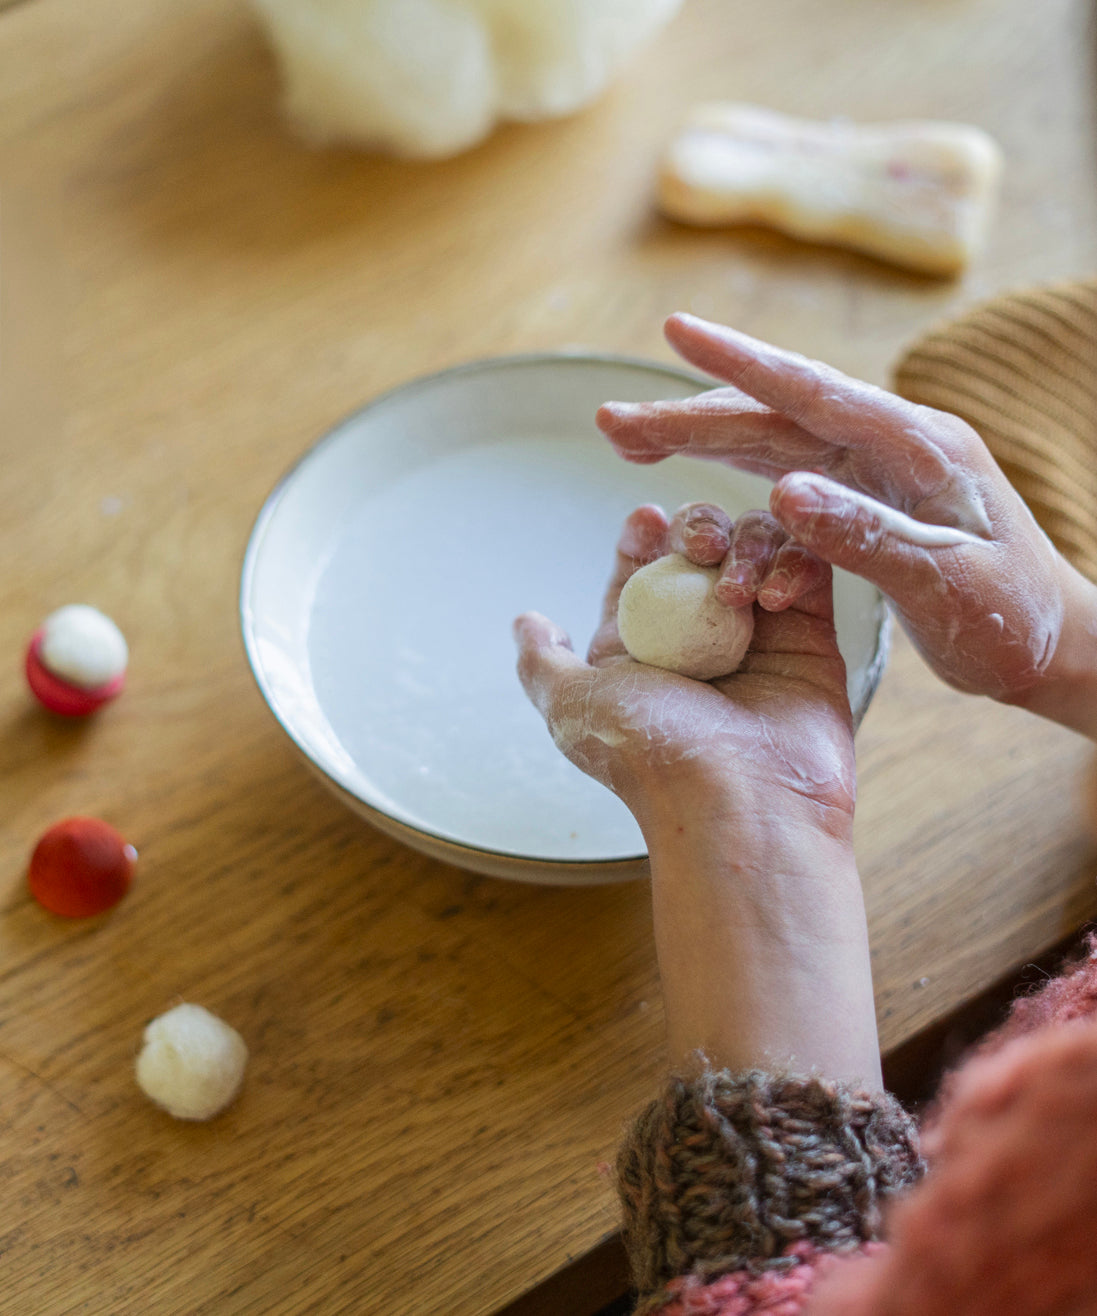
<point x="916" y="193"/>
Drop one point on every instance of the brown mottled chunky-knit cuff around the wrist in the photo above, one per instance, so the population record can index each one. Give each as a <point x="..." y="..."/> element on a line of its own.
<point x="725" y="1172"/>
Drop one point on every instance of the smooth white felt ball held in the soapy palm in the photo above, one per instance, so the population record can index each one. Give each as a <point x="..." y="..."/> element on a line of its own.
<point x="669" y="617"/>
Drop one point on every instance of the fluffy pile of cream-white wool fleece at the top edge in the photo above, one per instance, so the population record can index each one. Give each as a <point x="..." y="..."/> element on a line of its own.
<point x="431" y="78"/>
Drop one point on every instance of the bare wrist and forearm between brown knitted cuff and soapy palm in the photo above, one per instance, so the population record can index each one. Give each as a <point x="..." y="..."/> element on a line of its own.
<point x="761" y="935"/>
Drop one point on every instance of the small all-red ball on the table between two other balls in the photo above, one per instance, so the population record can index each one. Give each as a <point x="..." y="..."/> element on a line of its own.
<point x="81" y="868"/>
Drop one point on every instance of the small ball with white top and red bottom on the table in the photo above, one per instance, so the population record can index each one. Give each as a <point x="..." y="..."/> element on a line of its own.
<point x="77" y="661"/>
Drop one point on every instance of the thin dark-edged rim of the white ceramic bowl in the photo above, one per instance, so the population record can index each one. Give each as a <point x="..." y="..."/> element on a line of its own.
<point x="465" y="855"/>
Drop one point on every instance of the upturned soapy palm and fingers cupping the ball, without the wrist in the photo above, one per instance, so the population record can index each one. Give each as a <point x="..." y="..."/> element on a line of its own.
<point x="781" y="723"/>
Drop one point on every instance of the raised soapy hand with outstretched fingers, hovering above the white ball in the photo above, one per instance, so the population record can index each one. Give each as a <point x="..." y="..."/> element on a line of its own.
<point x="907" y="497"/>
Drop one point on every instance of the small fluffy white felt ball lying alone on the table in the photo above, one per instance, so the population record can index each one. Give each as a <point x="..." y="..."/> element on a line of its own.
<point x="191" y="1063"/>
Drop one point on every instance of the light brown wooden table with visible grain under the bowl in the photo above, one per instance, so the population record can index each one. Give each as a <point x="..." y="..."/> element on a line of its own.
<point x="440" y="1063"/>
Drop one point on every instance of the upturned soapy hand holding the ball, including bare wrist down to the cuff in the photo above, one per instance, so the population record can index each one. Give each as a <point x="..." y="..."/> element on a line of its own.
<point x="744" y="789"/>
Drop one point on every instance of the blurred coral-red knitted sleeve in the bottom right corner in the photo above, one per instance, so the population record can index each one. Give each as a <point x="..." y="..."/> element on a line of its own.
<point x="1007" y="1219"/>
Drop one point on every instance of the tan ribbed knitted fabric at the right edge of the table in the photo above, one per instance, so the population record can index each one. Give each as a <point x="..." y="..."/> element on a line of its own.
<point x="1023" y="372"/>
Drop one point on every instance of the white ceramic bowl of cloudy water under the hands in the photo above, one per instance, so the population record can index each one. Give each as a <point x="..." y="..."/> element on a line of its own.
<point x="383" y="576"/>
